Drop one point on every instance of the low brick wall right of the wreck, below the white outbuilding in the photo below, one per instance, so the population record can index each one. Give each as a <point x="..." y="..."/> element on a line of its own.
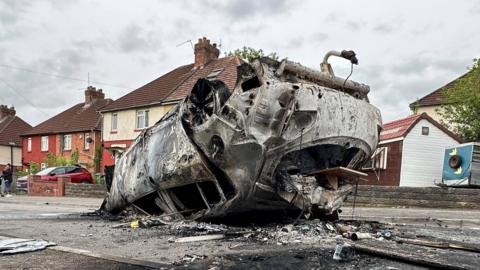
<point x="424" y="197"/>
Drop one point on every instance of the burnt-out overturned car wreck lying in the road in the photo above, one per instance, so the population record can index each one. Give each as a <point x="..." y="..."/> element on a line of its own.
<point x="286" y="138"/>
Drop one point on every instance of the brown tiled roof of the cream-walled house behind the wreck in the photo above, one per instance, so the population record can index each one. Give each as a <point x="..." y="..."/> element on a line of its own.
<point x="176" y="84"/>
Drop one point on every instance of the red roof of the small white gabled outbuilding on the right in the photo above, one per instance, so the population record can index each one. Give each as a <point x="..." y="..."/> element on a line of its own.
<point x="400" y="128"/>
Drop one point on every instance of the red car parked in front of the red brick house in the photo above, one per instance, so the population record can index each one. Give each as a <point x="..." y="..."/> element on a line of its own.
<point x="77" y="174"/>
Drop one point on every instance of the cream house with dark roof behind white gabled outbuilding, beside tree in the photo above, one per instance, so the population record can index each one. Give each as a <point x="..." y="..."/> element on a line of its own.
<point x="433" y="101"/>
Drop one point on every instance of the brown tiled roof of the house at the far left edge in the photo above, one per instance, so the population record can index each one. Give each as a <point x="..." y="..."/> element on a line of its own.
<point x="10" y="129"/>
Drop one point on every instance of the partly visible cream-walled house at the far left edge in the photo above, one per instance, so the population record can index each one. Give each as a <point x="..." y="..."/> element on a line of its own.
<point x="11" y="126"/>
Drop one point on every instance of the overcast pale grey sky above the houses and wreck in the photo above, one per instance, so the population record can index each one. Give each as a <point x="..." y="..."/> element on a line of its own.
<point x="406" y="48"/>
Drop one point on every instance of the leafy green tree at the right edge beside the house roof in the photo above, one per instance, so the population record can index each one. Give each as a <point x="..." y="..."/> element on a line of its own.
<point x="461" y="109"/>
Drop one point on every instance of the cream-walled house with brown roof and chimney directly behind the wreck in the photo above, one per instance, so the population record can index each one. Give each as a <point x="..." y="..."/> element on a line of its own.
<point x="126" y="117"/>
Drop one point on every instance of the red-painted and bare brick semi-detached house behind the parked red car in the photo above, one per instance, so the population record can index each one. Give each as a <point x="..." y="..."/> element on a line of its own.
<point x="76" y="131"/>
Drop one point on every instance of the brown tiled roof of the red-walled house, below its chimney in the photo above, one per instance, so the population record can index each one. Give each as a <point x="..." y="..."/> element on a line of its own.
<point x="77" y="118"/>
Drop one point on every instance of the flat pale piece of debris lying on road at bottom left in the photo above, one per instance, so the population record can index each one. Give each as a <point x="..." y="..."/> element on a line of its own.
<point x="9" y="246"/>
